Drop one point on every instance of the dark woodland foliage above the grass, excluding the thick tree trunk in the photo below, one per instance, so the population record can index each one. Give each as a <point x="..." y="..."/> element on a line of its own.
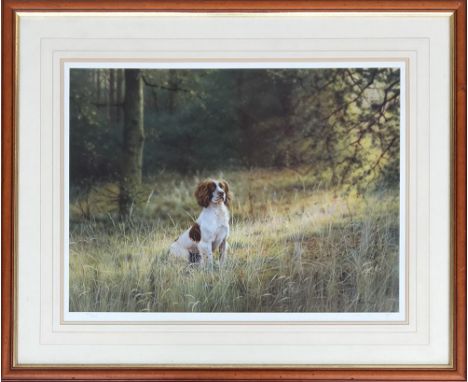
<point x="340" y="125"/>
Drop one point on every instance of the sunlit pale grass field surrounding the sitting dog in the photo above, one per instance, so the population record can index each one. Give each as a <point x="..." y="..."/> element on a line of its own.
<point x="293" y="248"/>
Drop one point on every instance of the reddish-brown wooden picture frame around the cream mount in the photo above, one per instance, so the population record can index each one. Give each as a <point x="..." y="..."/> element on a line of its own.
<point x="9" y="161"/>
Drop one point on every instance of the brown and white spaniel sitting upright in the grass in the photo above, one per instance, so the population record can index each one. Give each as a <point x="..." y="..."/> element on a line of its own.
<point x="211" y="229"/>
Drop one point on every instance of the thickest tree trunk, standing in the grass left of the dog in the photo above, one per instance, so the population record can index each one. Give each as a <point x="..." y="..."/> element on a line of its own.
<point x="134" y="137"/>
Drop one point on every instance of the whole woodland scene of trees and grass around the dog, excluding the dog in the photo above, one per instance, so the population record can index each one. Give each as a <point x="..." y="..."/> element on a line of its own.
<point x="312" y="156"/>
